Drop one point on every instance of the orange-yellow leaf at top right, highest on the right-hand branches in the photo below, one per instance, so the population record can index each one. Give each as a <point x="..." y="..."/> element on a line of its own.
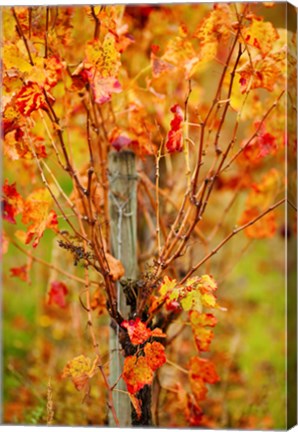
<point x="261" y="35"/>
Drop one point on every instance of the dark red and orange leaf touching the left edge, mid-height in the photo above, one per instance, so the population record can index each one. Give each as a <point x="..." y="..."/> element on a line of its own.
<point x="12" y="202"/>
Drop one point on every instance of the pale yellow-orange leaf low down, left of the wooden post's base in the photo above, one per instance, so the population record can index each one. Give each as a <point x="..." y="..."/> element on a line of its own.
<point x="80" y="370"/>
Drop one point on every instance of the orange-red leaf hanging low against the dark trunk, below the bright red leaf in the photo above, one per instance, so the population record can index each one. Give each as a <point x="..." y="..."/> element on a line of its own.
<point x="136" y="373"/>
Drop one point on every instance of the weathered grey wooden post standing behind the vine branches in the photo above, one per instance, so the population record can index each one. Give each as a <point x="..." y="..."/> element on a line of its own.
<point x="123" y="220"/>
